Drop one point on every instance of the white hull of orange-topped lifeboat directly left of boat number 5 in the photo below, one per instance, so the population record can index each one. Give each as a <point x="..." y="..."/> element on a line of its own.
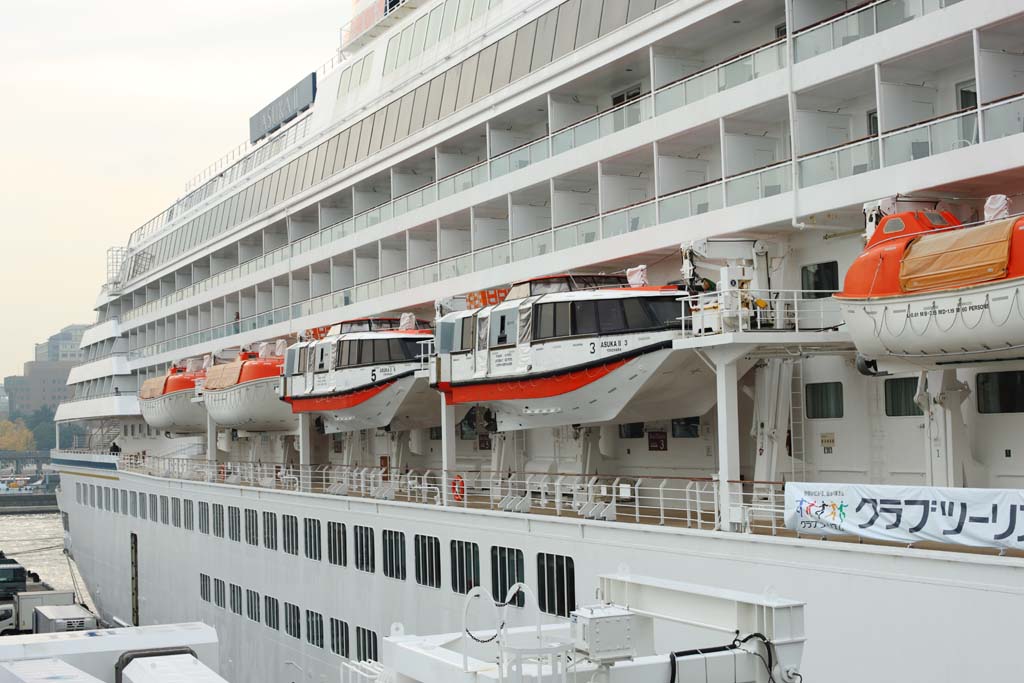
<point x="252" y="406"/>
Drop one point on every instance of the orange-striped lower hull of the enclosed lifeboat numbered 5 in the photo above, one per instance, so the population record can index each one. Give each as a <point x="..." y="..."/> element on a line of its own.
<point x="402" y="404"/>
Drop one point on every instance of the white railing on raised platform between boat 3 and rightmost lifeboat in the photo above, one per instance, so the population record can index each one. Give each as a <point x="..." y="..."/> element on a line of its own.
<point x="760" y="311"/>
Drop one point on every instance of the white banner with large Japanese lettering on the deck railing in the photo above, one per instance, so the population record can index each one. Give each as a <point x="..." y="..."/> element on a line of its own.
<point x="982" y="518"/>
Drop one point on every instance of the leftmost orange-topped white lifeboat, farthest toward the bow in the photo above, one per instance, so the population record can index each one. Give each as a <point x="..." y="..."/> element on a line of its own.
<point x="168" y="403"/>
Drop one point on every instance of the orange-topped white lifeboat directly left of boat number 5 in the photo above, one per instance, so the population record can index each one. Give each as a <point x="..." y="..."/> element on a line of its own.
<point x="243" y="395"/>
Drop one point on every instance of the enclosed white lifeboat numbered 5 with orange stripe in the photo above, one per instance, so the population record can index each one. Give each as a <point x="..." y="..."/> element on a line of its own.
<point x="368" y="376"/>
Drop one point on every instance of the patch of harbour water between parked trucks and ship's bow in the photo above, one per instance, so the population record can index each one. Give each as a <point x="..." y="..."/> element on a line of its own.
<point x="37" y="543"/>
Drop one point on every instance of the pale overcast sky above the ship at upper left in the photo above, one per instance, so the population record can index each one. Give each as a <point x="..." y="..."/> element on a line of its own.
<point x="107" y="109"/>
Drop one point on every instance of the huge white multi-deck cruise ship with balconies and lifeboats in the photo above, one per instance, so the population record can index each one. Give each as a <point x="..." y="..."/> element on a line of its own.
<point x="540" y="300"/>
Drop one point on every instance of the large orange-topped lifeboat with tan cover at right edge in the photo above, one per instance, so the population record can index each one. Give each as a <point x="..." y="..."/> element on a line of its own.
<point x="930" y="292"/>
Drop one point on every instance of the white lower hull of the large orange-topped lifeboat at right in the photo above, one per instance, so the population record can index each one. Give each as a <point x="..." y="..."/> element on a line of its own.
<point x="978" y="324"/>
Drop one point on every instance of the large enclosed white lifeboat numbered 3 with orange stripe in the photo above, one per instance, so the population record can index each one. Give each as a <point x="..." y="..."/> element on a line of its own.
<point x="572" y="350"/>
